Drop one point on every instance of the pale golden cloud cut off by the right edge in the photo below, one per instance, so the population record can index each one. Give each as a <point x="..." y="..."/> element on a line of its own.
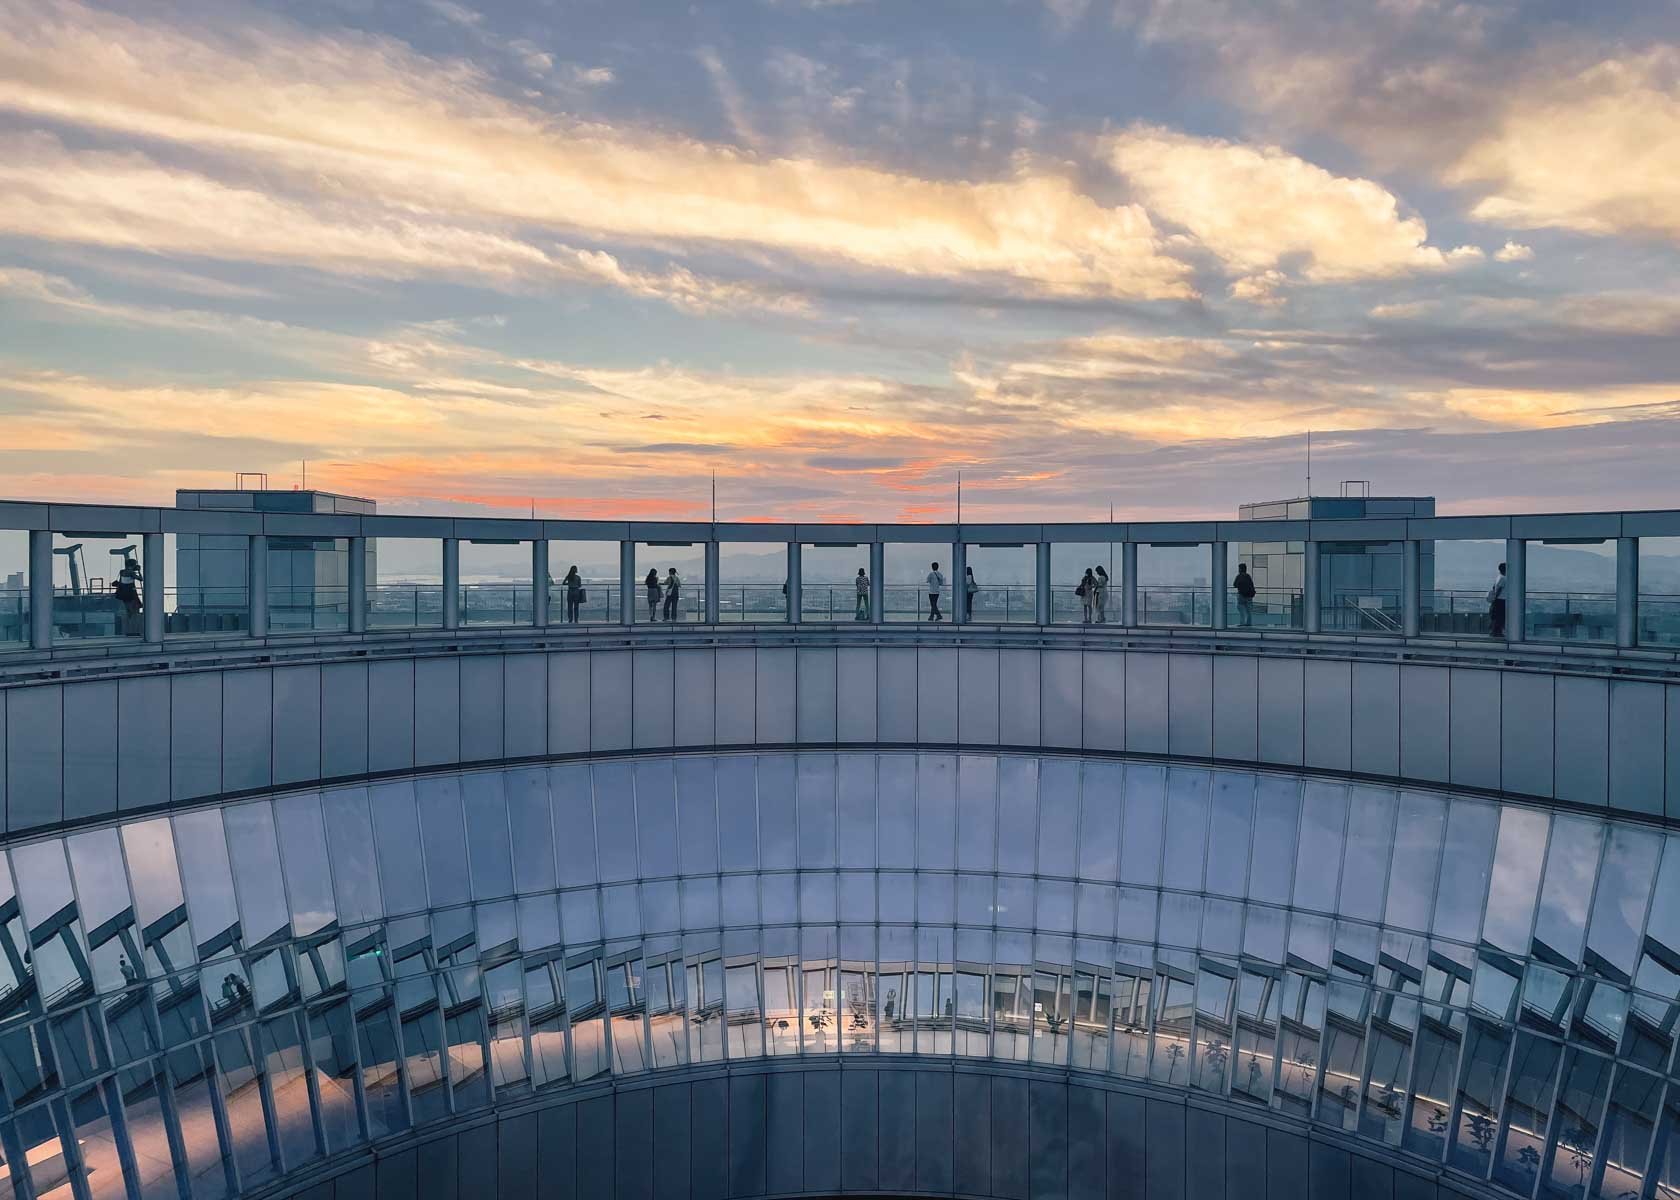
<point x="1597" y="152"/>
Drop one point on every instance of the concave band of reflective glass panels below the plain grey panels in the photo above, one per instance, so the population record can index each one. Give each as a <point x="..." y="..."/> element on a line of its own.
<point x="196" y="1004"/>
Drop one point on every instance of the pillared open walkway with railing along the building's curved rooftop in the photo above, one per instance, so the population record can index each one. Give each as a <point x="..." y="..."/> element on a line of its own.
<point x="137" y="601"/>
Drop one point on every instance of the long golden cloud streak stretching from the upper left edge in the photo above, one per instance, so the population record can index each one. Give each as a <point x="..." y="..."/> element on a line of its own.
<point x="359" y="150"/>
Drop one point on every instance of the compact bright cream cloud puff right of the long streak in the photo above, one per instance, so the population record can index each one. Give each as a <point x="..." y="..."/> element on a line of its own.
<point x="1261" y="208"/>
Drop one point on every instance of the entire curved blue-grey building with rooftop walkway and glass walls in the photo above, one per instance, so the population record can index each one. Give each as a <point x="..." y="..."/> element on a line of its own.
<point x="360" y="855"/>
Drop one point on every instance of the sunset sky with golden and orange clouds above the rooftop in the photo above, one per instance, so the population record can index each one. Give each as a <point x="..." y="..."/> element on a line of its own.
<point x="582" y="256"/>
